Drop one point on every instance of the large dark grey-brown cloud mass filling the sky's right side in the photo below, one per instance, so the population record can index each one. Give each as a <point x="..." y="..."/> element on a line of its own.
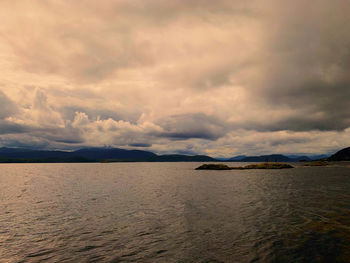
<point x="308" y="64"/>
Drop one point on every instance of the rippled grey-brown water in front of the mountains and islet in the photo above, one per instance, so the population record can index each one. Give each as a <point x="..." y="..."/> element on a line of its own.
<point x="168" y="212"/>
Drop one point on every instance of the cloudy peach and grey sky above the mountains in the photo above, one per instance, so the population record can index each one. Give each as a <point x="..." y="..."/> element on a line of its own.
<point x="220" y="78"/>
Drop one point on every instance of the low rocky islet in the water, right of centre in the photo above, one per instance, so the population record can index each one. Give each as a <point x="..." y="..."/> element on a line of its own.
<point x="251" y="166"/>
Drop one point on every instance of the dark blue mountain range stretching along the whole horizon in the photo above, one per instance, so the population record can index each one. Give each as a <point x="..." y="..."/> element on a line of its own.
<point x="8" y="155"/>
